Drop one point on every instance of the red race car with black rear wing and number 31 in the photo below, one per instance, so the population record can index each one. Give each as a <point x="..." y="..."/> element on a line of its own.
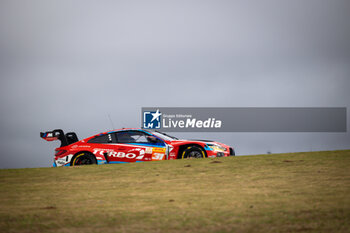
<point x="129" y="145"/>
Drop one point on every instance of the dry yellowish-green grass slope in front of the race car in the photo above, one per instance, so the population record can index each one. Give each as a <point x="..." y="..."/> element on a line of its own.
<point x="298" y="192"/>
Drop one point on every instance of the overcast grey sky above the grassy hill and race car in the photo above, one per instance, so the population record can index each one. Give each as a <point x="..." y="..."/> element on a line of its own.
<point x="68" y="64"/>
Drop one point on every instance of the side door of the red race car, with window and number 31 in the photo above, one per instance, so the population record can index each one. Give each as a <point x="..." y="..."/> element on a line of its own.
<point x="137" y="146"/>
